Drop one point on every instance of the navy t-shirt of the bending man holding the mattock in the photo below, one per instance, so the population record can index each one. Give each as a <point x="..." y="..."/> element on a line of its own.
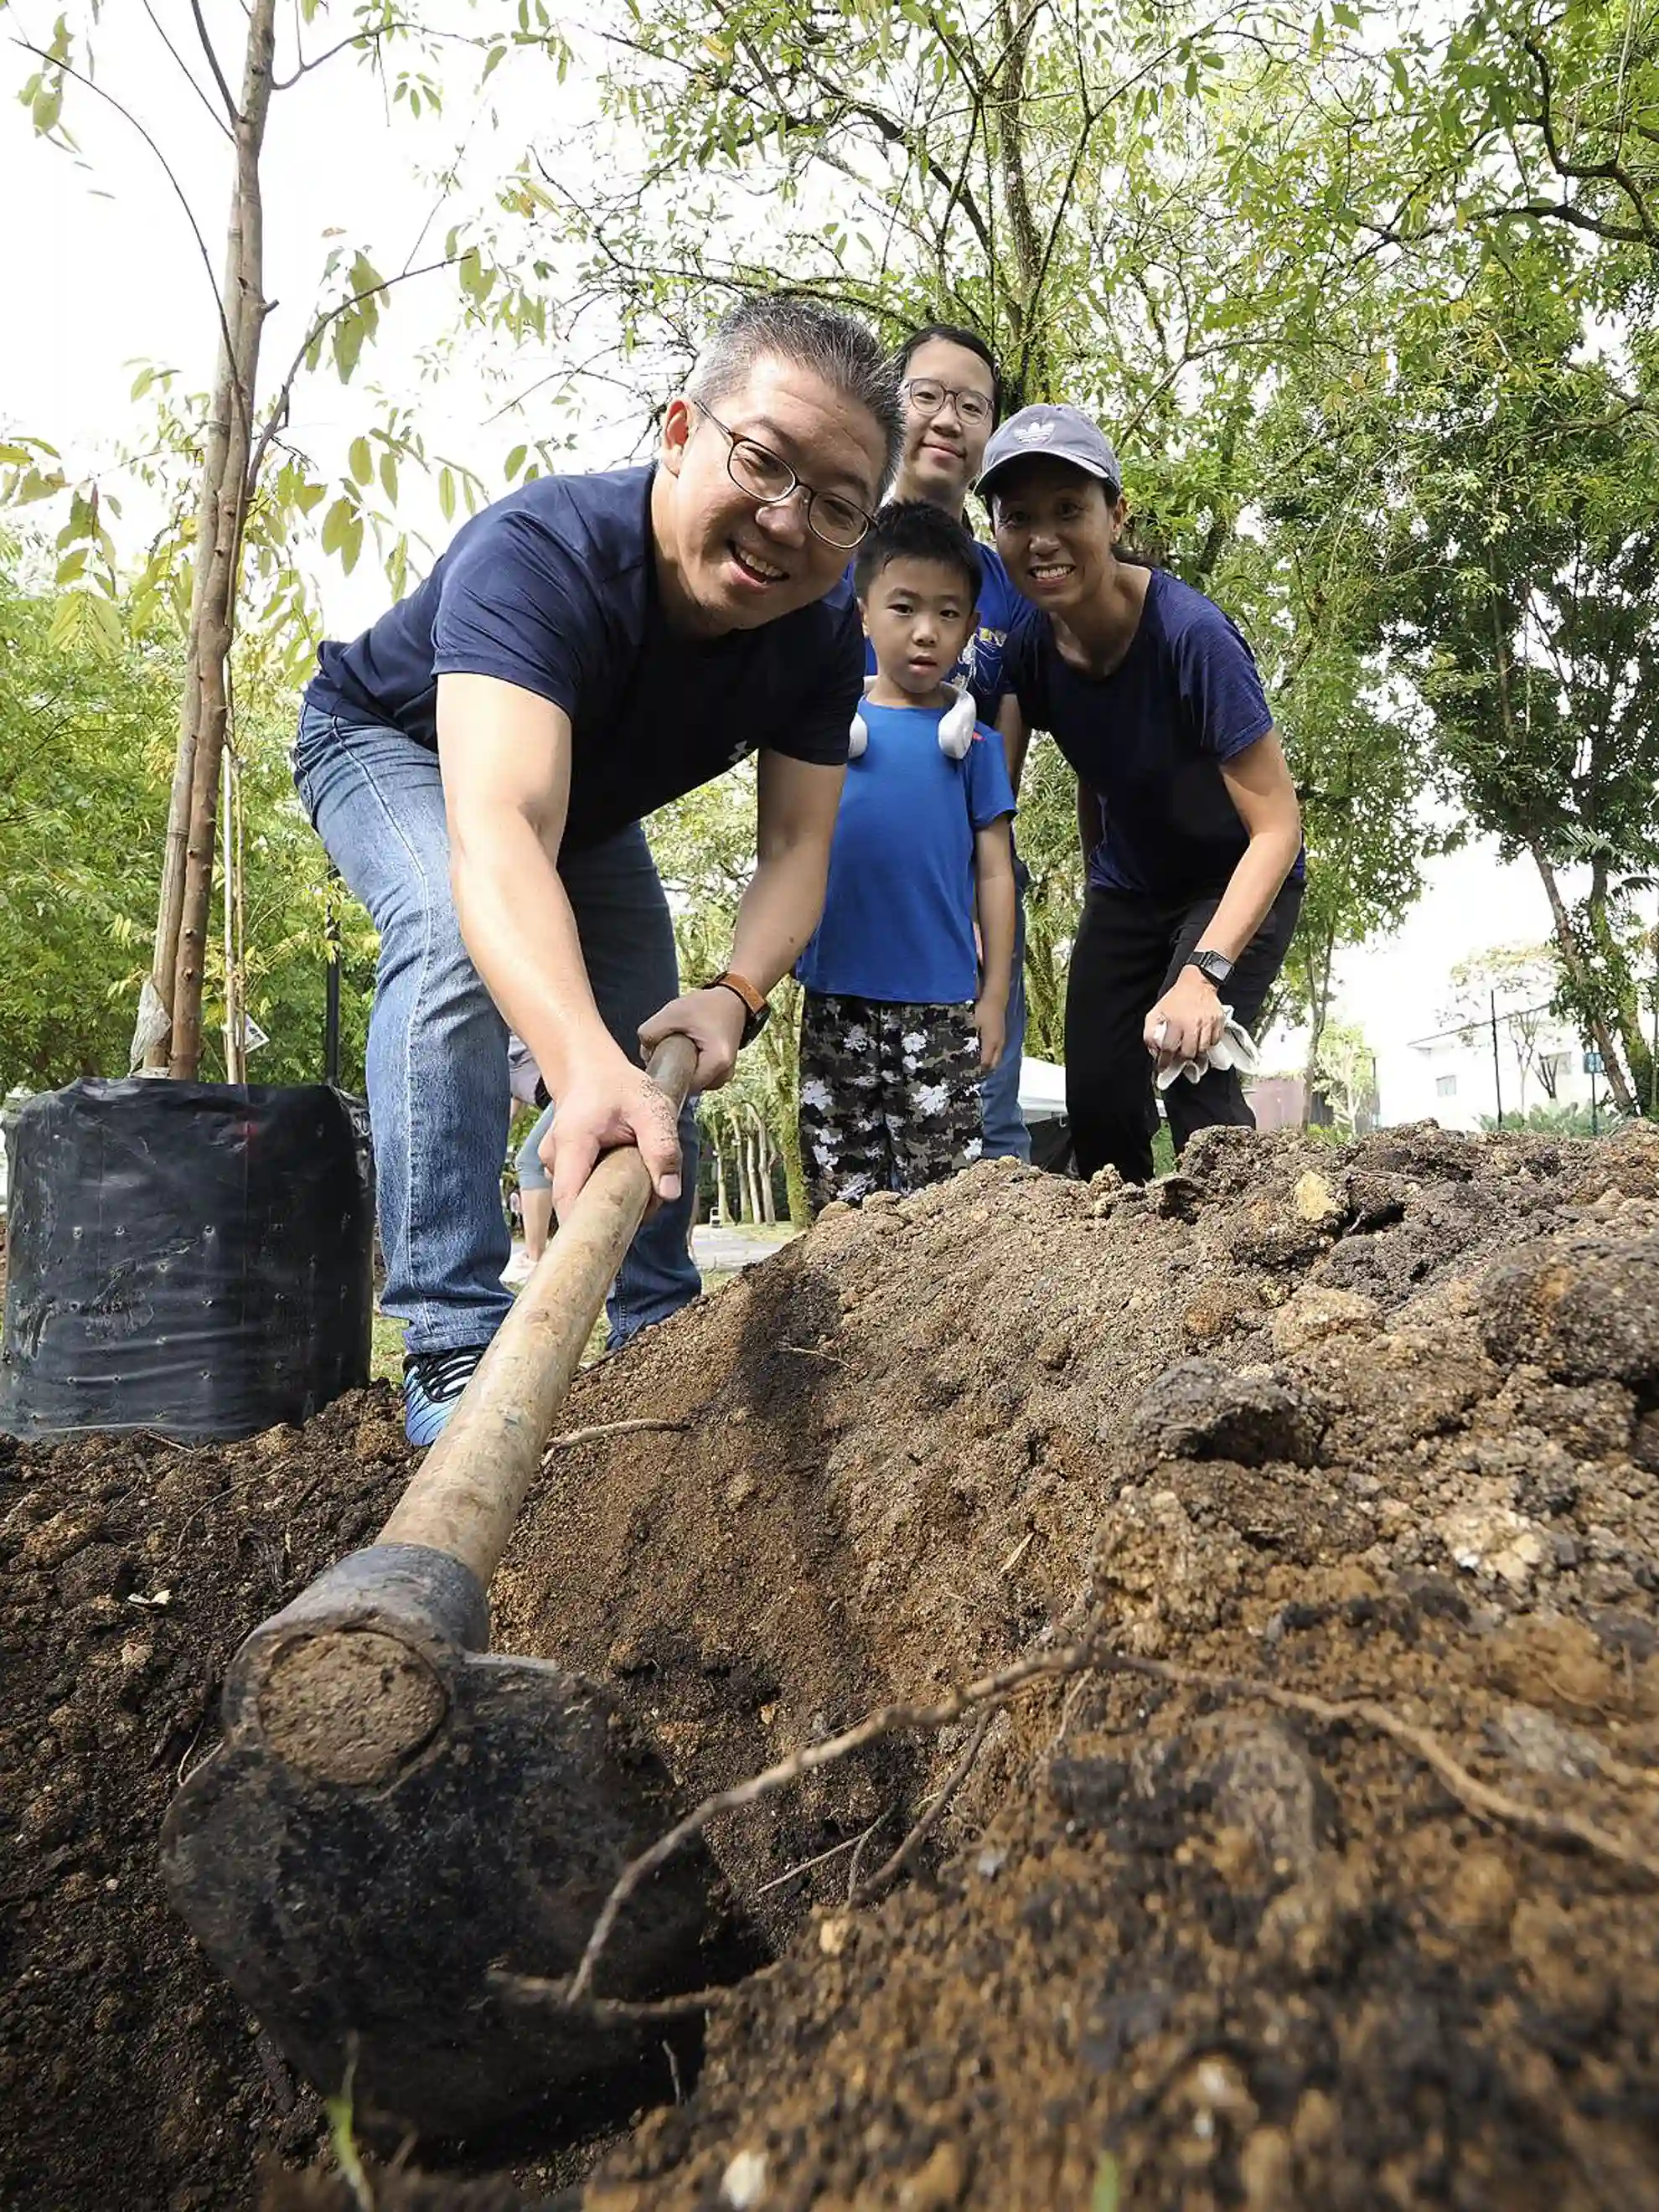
<point x="556" y="589"/>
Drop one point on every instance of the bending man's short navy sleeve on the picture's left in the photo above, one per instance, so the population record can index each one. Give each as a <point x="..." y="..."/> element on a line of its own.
<point x="517" y="605"/>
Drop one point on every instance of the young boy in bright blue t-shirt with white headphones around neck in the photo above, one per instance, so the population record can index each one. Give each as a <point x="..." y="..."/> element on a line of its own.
<point x="901" y="1014"/>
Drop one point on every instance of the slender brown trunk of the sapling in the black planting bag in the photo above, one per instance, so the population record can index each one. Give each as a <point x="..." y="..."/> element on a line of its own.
<point x="187" y="868"/>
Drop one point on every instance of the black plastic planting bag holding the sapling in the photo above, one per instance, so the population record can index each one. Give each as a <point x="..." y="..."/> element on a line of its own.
<point x="185" y="1258"/>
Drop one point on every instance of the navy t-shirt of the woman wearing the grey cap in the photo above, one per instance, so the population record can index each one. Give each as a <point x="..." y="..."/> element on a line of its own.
<point x="1151" y="738"/>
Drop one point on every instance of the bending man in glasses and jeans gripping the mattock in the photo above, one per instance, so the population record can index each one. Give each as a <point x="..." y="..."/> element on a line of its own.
<point x="479" y="766"/>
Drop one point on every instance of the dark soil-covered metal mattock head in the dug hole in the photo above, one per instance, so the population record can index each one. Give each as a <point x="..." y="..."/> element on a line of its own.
<point x="393" y="1815"/>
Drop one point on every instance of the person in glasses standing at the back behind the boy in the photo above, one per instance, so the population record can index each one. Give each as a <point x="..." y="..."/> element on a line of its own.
<point x="952" y="399"/>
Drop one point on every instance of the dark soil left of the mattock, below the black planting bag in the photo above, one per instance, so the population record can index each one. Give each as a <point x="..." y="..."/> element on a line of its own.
<point x="129" y="1572"/>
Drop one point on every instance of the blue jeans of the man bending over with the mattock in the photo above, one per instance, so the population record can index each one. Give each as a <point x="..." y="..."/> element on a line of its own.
<point x="439" y="1103"/>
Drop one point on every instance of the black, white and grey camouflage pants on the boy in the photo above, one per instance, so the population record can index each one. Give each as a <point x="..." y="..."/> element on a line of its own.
<point x="890" y="1096"/>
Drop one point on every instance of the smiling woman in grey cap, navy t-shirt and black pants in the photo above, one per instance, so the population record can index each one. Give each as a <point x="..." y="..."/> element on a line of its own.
<point x="1185" y="804"/>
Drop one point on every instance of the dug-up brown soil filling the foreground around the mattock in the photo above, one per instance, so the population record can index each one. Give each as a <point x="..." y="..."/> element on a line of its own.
<point x="1331" y="1881"/>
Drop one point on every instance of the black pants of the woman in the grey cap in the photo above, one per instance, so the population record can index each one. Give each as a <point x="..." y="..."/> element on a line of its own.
<point x="1129" y="952"/>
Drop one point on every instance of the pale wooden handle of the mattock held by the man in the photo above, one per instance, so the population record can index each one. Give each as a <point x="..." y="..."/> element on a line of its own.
<point x="472" y="1483"/>
